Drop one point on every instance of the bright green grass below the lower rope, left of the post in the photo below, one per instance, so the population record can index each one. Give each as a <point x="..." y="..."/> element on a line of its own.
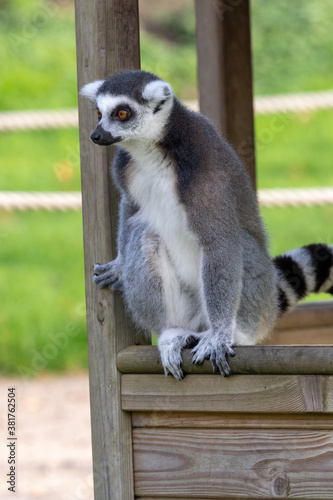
<point x="41" y="292"/>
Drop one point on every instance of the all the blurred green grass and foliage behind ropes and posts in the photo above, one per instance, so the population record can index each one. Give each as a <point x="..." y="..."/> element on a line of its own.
<point x="41" y="255"/>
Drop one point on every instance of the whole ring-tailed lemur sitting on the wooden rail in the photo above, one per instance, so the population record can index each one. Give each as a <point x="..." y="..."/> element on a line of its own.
<point x="192" y="258"/>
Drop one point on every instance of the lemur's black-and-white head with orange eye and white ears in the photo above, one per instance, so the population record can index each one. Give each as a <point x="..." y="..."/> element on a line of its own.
<point x="131" y="105"/>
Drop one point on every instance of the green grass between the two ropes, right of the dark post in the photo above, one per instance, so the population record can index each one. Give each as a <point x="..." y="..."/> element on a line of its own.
<point x="294" y="150"/>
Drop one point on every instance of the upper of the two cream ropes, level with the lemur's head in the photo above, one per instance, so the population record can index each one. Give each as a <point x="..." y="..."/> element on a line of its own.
<point x="45" y="119"/>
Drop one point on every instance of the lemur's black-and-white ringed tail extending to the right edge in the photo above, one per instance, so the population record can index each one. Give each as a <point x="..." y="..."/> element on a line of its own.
<point x="303" y="271"/>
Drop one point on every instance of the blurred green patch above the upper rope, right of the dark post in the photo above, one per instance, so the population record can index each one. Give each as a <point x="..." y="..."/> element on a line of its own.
<point x="292" y="45"/>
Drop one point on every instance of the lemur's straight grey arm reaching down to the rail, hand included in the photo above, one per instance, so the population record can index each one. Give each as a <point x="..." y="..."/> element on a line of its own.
<point x="218" y="230"/>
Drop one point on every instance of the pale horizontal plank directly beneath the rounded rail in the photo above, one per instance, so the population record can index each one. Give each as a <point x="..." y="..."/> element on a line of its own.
<point x="238" y="393"/>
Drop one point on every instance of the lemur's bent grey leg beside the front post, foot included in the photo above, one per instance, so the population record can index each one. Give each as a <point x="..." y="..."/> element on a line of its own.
<point x="160" y="302"/>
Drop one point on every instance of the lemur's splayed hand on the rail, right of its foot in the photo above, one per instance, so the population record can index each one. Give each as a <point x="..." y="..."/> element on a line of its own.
<point x="215" y="346"/>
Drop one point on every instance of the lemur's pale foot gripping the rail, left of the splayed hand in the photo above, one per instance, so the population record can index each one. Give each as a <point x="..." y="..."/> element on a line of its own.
<point x="171" y="343"/>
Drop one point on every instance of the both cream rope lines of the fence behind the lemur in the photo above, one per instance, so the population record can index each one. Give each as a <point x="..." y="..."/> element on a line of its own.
<point x="51" y="119"/>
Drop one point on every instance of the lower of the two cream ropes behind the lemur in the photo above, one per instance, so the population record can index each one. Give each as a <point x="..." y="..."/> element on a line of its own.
<point x="270" y="198"/>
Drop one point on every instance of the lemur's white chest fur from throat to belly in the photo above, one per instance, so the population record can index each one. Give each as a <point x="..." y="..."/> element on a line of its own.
<point x="152" y="184"/>
